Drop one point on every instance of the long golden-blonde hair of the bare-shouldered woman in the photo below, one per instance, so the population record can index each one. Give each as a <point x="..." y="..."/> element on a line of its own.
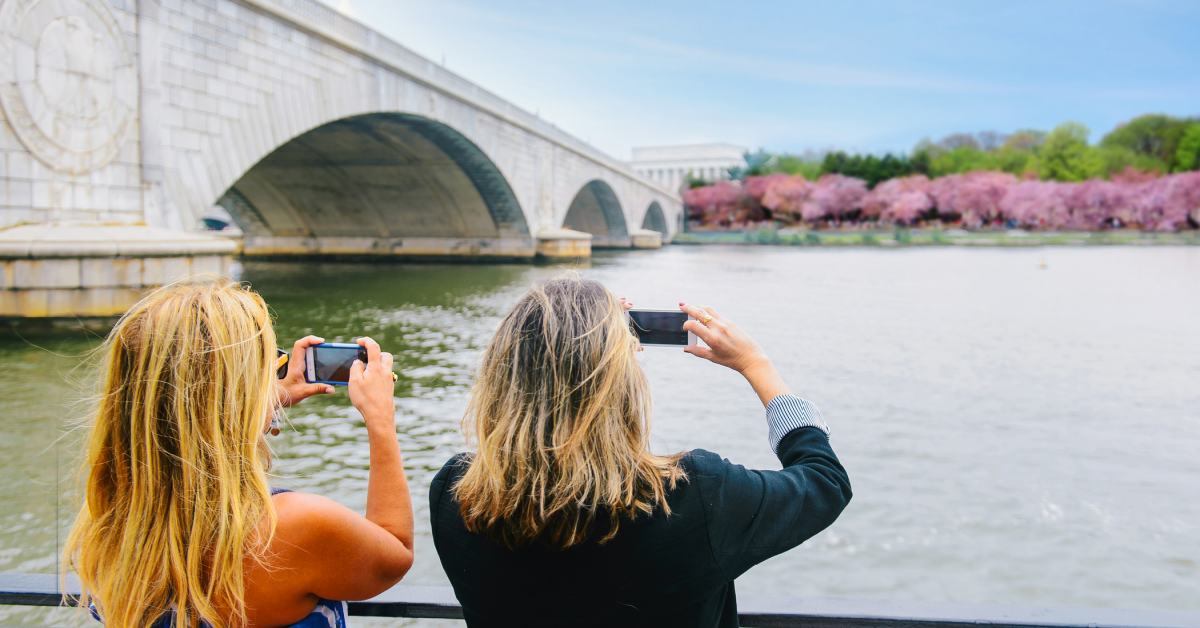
<point x="176" y="488"/>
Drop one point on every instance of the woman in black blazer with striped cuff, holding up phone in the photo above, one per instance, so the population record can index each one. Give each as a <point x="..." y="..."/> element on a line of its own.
<point x="563" y="517"/>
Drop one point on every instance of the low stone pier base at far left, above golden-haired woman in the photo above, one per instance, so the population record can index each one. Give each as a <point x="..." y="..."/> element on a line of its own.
<point x="79" y="276"/>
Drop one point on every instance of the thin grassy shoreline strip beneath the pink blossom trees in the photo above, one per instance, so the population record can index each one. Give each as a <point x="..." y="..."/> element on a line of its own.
<point x="905" y="238"/>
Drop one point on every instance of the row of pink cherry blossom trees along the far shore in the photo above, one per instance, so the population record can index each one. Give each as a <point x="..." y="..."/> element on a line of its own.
<point x="1133" y="199"/>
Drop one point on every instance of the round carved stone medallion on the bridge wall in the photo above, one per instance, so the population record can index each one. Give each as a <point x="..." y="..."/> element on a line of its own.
<point x="68" y="81"/>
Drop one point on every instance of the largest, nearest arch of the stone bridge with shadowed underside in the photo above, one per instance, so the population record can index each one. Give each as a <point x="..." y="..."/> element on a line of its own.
<point x="379" y="184"/>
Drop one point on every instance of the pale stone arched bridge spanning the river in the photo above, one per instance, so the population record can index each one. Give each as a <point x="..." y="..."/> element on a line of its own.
<point x="319" y="135"/>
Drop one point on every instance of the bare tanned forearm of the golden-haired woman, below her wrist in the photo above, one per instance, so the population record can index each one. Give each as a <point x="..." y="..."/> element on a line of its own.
<point x="389" y="505"/>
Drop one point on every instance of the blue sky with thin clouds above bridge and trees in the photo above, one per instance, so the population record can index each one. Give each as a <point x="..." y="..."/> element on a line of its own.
<point x="861" y="76"/>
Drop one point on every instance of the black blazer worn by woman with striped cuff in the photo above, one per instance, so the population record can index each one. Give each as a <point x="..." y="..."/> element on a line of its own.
<point x="658" y="571"/>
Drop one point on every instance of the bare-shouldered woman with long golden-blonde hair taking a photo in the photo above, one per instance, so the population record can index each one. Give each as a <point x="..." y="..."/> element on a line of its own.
<point x="179" y="527"/>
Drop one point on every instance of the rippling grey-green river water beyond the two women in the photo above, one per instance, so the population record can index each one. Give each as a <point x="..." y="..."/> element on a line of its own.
<point x="1013" y="434"/>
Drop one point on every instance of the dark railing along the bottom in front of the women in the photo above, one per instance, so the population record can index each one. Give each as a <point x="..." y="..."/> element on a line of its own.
<point x="431" y="602"/>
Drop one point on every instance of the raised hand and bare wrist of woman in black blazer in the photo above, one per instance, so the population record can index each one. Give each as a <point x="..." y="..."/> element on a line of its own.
<point x="730" y="346"/>
